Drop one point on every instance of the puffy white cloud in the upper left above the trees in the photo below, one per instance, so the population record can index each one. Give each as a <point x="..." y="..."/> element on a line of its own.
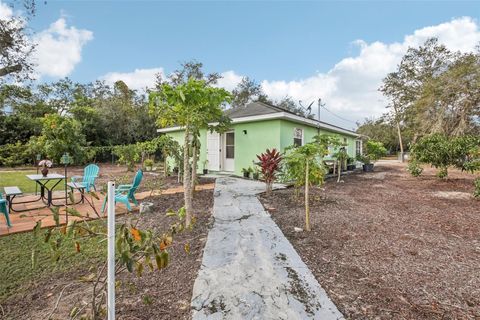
<point x="59" y="48"/>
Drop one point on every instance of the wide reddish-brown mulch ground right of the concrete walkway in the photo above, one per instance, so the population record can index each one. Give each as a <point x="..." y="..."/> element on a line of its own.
<point x="386" y="245"/>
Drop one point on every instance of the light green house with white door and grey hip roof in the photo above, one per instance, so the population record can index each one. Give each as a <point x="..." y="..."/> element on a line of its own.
<point x="254" y="128"/>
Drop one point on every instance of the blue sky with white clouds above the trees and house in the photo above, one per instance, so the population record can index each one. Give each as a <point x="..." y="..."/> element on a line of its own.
<point x="302" y="49"/>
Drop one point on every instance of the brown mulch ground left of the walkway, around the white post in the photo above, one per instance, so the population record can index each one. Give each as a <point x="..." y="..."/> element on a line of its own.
<point x="157" y="294"/>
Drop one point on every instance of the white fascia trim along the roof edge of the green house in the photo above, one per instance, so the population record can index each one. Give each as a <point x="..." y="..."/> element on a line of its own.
<point x="279" y="115"/>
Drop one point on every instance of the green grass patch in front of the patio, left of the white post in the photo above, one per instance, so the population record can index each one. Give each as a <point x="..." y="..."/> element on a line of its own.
<point x="16" y="272"/>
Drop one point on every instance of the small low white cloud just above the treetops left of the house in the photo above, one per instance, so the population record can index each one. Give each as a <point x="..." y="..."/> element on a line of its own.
<point x="138" y="79"/>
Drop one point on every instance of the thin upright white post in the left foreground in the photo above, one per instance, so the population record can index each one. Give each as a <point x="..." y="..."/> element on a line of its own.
<point x="111" y="251"/>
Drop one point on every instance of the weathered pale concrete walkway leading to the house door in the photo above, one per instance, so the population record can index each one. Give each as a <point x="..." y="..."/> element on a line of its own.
<point x="249" y="269"/>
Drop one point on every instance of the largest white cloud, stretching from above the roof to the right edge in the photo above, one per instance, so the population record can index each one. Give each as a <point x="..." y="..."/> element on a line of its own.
<point x="350" y="88"/>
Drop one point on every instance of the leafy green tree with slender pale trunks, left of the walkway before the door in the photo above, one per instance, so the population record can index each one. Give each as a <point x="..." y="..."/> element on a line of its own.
<point x="192" y="105"/>
